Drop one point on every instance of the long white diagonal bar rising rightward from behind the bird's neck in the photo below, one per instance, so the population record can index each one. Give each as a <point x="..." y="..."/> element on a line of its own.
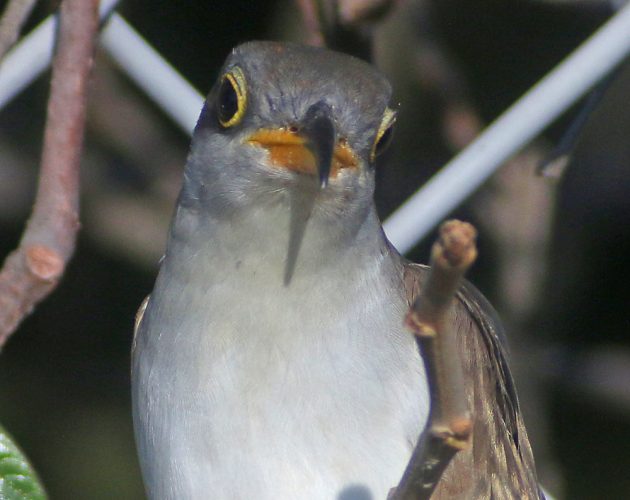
<point x="525" y="119"/>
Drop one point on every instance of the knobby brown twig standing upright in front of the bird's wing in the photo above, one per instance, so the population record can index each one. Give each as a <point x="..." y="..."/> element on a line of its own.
<point x="449" y="427"/>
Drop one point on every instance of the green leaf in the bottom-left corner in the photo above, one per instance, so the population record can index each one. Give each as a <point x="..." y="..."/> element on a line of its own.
<point x="18" y="480"/>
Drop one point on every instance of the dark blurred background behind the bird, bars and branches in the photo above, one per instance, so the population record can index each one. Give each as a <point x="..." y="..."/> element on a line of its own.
<point x="554" y="250"/>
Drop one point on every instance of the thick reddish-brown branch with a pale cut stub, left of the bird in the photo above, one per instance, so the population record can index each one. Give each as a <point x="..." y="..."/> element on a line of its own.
<point x="33" y="270"/>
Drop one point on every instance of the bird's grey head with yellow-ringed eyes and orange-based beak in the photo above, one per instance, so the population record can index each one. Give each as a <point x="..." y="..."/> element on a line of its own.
<point x="286" y="119"/>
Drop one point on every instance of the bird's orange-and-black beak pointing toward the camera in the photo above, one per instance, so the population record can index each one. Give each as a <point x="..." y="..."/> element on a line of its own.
<point x="311" y="147"/>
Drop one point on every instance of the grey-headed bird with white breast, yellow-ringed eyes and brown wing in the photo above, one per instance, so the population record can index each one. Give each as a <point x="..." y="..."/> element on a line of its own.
<point x="271" y="360"/>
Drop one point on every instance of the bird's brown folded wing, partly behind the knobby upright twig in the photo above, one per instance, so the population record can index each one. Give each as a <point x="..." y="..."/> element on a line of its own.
<point x="499" y="463"/>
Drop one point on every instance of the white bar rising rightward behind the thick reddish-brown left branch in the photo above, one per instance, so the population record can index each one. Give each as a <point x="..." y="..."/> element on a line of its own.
<point x="30" y="58"/>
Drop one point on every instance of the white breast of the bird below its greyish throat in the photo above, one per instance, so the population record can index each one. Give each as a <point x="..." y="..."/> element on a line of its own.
<point x="246" y="388"/>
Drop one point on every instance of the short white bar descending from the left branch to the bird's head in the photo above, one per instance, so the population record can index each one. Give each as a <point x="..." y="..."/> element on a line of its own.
<point x="152" y="73"/>
